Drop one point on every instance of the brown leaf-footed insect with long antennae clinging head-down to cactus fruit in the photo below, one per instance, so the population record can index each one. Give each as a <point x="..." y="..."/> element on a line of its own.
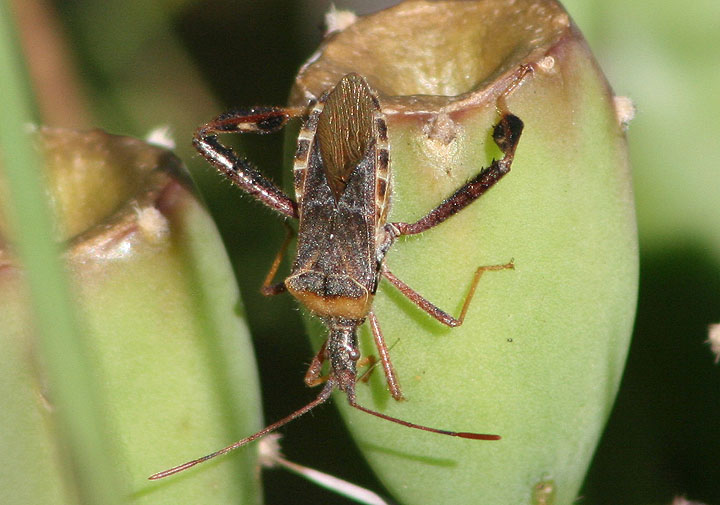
<point x="342" y="185"/>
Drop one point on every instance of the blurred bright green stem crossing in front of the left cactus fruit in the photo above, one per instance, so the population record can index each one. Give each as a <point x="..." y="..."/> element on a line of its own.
<point x="77" y="409"/>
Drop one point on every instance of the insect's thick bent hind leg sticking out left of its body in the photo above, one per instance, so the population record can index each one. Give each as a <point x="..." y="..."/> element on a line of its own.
<point x="242" y="172"/>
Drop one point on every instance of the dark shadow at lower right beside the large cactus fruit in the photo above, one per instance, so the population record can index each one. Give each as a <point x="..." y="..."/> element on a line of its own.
<point x="663" y="438"/>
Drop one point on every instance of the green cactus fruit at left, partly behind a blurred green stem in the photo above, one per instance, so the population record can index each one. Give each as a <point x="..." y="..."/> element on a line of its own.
<point x="162" y="322"/>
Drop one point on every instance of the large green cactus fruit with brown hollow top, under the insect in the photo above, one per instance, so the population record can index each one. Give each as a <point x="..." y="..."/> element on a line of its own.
<point x="539" y="357"/>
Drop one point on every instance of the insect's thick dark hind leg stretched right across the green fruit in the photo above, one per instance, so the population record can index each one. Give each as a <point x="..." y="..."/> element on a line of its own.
<point x="506" y="135"/>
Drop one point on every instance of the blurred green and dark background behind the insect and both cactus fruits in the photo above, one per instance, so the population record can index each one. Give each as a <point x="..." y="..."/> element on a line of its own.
<point x="129" y="66"/>
